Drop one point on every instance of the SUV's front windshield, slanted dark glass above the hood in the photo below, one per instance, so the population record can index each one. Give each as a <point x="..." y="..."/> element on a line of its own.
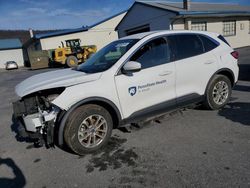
<point x="107" y="56"/>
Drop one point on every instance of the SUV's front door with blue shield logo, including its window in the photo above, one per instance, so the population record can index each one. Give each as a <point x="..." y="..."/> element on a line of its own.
<point x="153" y="85"/>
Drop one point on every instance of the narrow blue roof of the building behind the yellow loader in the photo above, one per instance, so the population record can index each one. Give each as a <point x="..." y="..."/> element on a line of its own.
<point x="77" y="30"/>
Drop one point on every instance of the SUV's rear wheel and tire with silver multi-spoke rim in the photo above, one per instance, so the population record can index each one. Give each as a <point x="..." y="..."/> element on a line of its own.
<point x="218" y="92"/>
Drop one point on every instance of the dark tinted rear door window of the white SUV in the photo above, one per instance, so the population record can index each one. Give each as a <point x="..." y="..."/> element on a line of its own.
<point x="187" y="45"/>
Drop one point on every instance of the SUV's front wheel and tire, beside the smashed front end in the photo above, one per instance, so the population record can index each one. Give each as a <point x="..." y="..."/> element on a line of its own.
<point x="81" y="123"/>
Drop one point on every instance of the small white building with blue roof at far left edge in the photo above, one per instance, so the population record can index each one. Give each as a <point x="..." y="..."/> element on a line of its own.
<point x="11" y="50"/>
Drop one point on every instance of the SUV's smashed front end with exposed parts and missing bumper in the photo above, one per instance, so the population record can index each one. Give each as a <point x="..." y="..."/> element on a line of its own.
<point x="36" y="116"/>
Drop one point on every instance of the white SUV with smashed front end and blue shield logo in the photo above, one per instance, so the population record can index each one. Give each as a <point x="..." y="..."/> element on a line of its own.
<point x="138" y="76"/>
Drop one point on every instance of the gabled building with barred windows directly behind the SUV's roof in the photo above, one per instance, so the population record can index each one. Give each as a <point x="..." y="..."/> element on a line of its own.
<point x="230" y="20"/>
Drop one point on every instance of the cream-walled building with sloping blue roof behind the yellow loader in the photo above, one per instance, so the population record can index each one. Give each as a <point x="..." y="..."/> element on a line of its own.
<point x="98" y="34"/>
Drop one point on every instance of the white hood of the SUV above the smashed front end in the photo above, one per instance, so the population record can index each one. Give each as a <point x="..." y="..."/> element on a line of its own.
<point x="54" y="79"/>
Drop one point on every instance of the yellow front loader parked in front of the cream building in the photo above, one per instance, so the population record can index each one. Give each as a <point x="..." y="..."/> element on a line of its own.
<point x="73" y="53"/>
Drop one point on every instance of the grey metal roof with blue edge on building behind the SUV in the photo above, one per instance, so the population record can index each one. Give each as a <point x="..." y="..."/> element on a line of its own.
<point x="199" y="8"/>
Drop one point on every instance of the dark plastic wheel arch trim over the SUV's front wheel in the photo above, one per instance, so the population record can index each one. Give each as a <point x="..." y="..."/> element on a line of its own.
<point x="105" y="103"/>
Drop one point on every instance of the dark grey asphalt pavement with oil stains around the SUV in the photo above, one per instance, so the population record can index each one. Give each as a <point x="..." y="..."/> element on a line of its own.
<point x="190" y="148"/>
